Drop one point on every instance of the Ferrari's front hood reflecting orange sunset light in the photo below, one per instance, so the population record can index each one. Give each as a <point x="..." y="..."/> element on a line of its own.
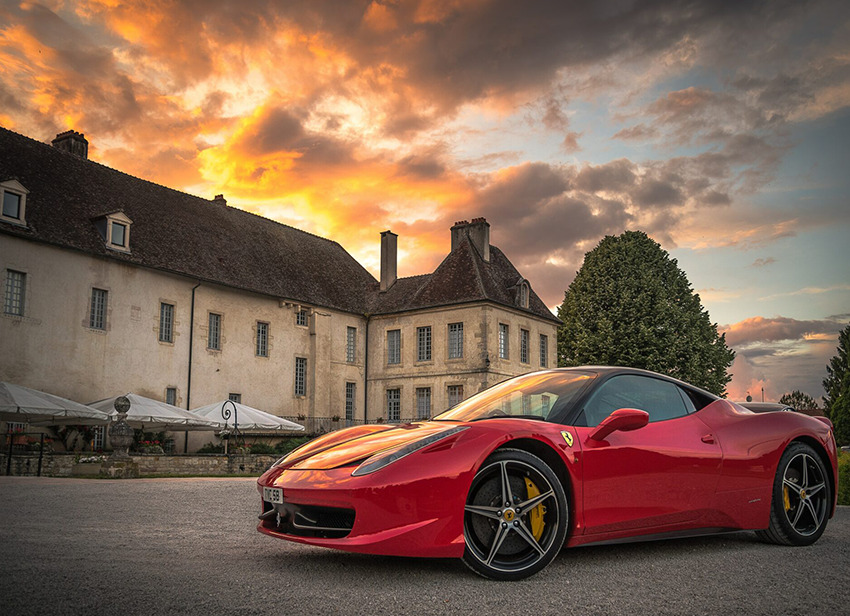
<point x="352" y="445"/>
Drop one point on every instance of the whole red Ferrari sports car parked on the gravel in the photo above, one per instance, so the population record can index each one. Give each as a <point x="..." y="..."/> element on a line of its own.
<point x="570" y="457"/>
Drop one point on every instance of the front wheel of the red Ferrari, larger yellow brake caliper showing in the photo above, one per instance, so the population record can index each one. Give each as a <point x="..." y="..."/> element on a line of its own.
<point x="516" y="541"/>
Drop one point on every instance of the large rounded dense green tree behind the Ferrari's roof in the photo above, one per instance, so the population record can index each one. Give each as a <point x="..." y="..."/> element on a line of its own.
<point x="631" y="305"/>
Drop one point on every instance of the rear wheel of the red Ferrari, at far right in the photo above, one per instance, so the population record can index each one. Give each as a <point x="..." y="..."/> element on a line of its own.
<point x="801" y="500"/>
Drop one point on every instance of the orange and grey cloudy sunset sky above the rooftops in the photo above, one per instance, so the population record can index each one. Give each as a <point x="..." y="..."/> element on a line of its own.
<point x="722" y="129"/>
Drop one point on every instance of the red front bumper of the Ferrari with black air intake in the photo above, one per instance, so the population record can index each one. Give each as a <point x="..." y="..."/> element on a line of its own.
<point x="393" y="512"/>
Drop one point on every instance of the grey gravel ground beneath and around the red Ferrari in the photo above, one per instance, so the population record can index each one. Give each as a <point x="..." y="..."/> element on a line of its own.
<point x="189" y="546"/>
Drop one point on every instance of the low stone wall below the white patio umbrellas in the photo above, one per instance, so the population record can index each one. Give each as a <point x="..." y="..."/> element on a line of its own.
<point x="201" y="465"/>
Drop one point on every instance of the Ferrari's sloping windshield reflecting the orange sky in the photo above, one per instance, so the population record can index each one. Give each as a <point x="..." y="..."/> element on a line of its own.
<point x="539" y="395"/>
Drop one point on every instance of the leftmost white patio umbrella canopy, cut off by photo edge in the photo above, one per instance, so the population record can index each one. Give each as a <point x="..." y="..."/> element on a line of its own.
<point x="22" y="404"/>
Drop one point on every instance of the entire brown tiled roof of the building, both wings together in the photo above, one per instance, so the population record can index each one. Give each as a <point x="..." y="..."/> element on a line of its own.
<point x="208" y="241"/>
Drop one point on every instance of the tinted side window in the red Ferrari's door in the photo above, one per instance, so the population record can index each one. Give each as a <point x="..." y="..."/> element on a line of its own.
<point x="661" y="399"/>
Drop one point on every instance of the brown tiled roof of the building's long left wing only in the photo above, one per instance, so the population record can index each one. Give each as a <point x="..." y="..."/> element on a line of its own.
<point x="176" y="232"/>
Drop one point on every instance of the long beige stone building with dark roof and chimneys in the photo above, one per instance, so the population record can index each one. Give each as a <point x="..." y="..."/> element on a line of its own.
<point x="114" y="284"/>
